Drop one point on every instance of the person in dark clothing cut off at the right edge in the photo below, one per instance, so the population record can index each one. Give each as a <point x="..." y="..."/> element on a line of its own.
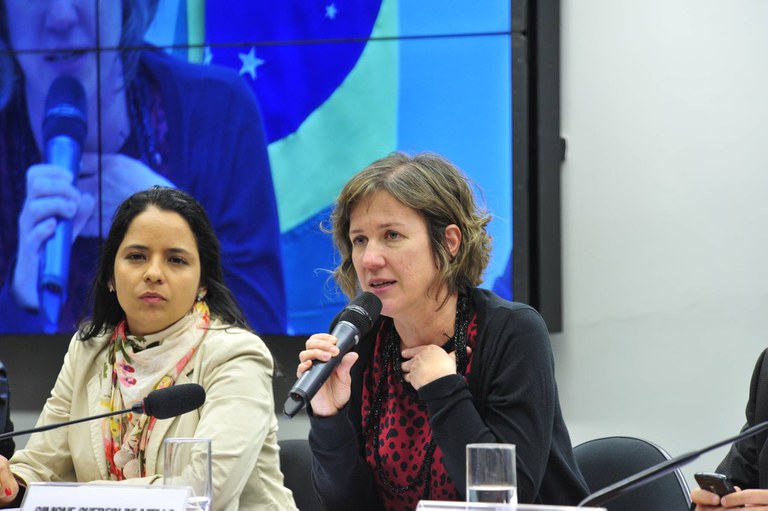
<point x="746" y="464"/>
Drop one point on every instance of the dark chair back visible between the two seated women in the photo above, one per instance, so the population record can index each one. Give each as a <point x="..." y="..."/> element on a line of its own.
<point x="296" y="464"/>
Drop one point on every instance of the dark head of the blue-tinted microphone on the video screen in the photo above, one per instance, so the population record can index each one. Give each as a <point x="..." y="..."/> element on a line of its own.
<point x="65" y="110"/>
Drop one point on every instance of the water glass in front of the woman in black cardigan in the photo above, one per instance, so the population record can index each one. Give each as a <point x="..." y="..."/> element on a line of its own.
<point x="491" y="473"/>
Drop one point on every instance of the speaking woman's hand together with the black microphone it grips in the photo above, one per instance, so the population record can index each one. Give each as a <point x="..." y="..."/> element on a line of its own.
<point x="324" y="368"/>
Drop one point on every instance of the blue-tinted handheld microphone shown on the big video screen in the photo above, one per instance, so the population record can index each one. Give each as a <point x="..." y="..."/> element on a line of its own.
<point x="64" y="130"/>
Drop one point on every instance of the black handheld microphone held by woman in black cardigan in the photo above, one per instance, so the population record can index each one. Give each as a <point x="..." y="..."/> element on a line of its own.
<point x="355" y="320"/>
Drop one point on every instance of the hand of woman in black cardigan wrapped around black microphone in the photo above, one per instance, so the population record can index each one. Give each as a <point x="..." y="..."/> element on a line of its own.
<point x="335" y="392"/>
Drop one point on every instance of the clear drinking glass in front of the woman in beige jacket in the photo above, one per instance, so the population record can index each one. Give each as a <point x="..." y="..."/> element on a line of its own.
<point x="187" y="462"/>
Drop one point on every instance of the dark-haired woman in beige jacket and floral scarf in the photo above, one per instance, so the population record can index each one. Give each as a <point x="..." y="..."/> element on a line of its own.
<point x="162" y="315"/>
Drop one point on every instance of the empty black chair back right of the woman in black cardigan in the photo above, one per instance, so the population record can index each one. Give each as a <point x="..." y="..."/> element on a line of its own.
<point x="604" y="461"/>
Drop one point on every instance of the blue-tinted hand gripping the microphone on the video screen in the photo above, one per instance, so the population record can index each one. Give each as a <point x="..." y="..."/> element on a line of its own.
<point x="50" y="195"/>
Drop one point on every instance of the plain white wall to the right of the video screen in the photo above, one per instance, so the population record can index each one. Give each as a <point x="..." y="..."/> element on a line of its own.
<point x="665" y="218"/>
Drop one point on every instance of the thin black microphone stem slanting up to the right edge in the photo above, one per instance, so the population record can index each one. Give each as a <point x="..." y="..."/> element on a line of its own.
<point x="665" y="467"/>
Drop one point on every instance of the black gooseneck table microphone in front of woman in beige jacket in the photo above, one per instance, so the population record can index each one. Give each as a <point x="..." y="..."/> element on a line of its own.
<point x="161" y="403"/>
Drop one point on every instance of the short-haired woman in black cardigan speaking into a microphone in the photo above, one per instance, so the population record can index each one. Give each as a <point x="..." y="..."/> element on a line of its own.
<point x="447" y="364"/>
